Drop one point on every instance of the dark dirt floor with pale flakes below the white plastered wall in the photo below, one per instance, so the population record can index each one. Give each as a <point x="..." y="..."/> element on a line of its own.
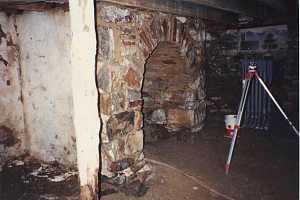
<point x="25" y="178"/>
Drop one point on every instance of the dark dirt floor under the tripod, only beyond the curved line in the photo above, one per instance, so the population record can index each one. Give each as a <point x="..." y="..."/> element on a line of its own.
<point x="264" y="166"/>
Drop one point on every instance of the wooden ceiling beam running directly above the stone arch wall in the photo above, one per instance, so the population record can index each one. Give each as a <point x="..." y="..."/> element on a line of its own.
<point x="182" y="8"/>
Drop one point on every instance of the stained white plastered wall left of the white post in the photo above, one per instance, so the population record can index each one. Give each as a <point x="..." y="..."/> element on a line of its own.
<point x="37" y="105"/>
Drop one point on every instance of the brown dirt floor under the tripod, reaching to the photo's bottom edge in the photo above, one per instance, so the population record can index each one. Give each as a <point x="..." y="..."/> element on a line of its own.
<point x="265" y="166"/>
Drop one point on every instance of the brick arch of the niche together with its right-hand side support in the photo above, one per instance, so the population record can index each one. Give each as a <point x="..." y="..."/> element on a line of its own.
<point x="188" y="35"/>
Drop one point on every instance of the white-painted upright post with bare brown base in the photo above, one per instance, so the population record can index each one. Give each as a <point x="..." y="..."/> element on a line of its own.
<point x="85" y="96"/>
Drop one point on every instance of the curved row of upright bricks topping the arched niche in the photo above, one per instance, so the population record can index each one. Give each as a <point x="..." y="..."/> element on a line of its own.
<point x="188" y="33"/>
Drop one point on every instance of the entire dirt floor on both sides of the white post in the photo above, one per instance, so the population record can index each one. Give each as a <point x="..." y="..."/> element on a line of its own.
<point x="264" y="167"/>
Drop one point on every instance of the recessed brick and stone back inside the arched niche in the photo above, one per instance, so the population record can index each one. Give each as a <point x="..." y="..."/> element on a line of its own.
<point x="171" y="93"/>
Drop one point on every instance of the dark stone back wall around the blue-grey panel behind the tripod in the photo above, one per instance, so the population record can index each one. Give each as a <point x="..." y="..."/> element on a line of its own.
<point x="225" y="49"/>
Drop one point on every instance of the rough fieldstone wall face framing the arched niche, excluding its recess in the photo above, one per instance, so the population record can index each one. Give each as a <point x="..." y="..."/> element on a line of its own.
<point x="126" y="39"/>
